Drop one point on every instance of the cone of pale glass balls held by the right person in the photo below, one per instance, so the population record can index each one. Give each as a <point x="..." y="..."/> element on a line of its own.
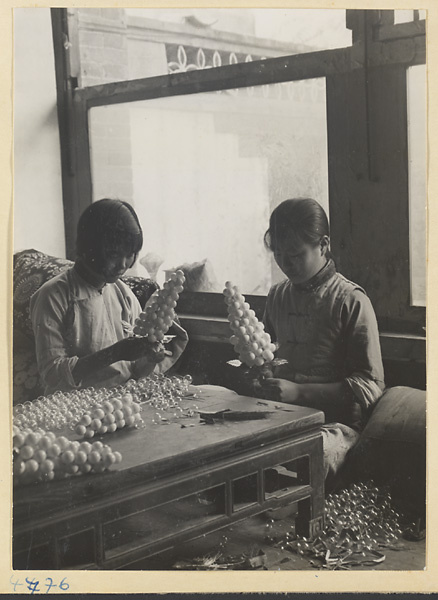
<point x="249" y="339"/>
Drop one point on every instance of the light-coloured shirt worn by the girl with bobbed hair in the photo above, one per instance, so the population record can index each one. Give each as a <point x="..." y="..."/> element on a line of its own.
<point x="71" y="318"/>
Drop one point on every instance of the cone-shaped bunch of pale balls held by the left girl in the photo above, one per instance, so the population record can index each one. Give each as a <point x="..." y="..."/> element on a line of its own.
<point x="155" y="320"/>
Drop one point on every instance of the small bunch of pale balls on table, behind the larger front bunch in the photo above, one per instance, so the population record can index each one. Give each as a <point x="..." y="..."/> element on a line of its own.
<point x="110" y="415"/>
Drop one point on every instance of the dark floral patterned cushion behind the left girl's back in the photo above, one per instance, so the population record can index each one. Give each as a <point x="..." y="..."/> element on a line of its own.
<point x="31" y="269"/>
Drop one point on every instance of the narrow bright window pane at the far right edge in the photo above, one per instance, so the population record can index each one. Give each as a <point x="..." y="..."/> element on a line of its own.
<point x="416" y="81"/>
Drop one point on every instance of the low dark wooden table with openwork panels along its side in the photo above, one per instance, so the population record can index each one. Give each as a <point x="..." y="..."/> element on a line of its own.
<point x="177" y="481"/>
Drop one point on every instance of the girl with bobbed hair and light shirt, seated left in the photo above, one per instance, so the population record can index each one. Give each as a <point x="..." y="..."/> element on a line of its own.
<point x="83" y="318"/>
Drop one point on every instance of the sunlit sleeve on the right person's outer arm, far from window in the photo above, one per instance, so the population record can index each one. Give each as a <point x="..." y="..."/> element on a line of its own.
<point x="364" y="367"/>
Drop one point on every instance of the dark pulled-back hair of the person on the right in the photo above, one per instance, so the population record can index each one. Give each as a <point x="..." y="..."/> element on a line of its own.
<point x="300" y="219"/>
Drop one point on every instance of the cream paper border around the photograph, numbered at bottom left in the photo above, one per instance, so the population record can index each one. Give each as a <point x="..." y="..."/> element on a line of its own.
<point x="312" y="581"/>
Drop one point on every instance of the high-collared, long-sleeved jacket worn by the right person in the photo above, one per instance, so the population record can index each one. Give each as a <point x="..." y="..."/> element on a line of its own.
<point x="327" y="331"/>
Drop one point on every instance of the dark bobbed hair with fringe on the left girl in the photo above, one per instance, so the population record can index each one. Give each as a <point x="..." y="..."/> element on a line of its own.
<point x="106" y="226"/>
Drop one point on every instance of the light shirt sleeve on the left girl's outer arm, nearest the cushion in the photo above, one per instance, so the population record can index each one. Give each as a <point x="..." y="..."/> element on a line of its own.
<point x="47" y="310"/>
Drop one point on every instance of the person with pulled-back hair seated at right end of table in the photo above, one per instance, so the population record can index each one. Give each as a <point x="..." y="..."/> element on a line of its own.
<point x="325" y="328"/>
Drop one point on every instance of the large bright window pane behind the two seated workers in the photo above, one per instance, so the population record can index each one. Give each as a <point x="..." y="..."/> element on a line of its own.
<point x="204" y="172"/>
